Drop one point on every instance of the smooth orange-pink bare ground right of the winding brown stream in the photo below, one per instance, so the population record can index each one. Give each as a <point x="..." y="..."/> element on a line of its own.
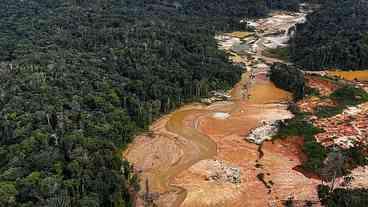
<point x="277" y="164"/>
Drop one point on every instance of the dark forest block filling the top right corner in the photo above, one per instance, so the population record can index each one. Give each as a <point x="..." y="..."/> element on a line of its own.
<point x="333" y="36"/>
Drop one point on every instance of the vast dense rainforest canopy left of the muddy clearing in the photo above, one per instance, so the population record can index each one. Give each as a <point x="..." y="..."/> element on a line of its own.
<point x="79" y="78"/>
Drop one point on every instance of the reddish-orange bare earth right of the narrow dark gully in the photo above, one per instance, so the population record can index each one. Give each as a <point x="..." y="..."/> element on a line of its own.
<point x="280" y="161"/>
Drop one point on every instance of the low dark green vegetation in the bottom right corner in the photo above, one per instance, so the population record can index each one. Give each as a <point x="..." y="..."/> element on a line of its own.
<point x="343" y="197"/>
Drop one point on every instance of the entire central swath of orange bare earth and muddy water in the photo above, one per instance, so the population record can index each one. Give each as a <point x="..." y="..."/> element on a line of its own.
<point x="198" y="155"/>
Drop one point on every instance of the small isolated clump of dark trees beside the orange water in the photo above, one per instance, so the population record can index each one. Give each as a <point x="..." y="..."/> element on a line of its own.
<point x="289" y="78"/>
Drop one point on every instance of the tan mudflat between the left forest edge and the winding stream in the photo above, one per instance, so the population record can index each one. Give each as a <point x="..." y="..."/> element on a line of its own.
<point x="152" y="154"/>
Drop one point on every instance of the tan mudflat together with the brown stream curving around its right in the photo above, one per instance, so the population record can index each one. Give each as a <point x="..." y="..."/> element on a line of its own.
<point x="175" y="145"/>
